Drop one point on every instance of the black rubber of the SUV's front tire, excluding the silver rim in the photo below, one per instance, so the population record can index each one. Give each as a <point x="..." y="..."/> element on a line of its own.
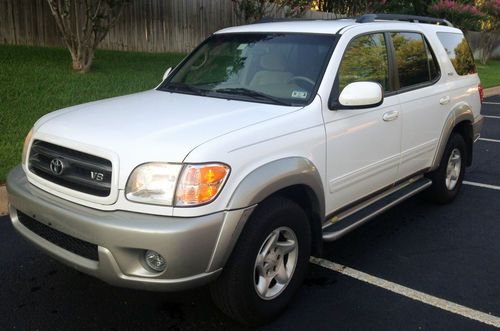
<point x="234" y="292"/>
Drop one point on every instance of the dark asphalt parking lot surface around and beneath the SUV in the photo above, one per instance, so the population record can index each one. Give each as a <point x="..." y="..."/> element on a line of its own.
<point x="440" y="256"/>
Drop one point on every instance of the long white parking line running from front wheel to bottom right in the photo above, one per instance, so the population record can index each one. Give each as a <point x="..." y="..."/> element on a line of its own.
<point x="410" y="293"/>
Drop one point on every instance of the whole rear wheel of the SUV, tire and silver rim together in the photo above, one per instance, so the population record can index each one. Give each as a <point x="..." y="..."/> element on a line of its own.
<point x="447" y="178"/>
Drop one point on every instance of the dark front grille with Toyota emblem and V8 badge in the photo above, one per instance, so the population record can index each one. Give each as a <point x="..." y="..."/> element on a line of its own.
<point x="72" y="169"/>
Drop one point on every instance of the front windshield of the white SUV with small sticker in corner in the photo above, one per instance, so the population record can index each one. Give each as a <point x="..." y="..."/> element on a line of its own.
<point x="272" y="68"/>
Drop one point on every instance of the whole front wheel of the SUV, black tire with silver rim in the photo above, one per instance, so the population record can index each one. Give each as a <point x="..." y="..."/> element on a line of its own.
<point x="267" y="265"/>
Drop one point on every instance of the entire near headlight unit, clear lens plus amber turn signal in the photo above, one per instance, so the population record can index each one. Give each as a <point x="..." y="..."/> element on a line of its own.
<point x="158" y="183"/>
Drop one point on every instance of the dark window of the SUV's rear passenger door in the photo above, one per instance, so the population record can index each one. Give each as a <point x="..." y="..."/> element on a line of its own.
<point x="414" y="61"/>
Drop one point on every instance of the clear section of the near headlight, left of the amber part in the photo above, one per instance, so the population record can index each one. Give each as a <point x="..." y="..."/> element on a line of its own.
<point x="153" y="183"/>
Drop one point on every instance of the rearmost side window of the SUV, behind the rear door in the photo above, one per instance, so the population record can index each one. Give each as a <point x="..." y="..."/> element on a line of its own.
<point x="458" y="51"/>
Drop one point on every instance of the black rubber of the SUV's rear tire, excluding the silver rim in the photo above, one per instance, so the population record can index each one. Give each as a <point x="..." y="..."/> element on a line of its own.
<point x="439" y="192"/>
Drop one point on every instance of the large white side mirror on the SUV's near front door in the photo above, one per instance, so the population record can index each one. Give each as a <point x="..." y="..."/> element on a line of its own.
<point x="361" y="95"/>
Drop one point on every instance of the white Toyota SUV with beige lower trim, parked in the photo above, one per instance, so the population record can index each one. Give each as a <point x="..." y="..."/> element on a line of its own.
<point x="267" y="140"/>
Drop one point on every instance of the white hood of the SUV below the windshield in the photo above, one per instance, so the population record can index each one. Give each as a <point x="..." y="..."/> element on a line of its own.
<point x="153" y="125"/>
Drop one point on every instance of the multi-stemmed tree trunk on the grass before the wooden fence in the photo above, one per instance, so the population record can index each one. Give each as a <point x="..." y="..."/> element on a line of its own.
<point x="83" y="25"/>
